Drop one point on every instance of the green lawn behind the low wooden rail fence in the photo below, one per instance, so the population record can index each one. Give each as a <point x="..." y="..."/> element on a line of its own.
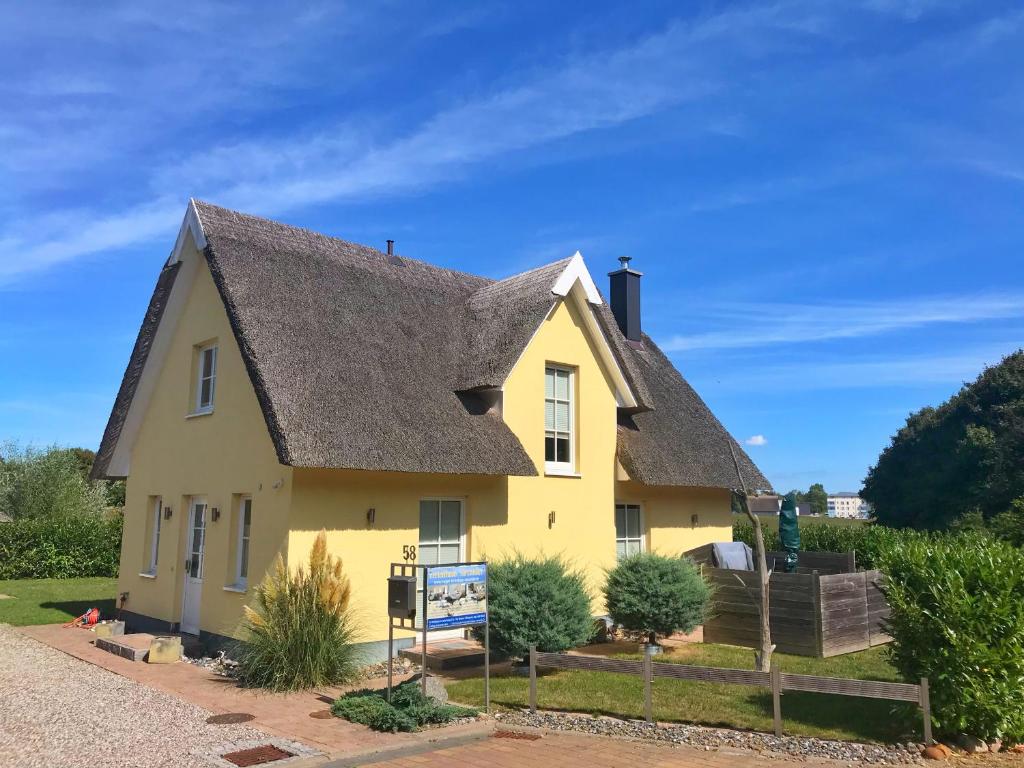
<point x="708" y="704"/>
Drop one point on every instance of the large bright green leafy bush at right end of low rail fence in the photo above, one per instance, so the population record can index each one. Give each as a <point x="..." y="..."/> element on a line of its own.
<point x="958" y="619"/>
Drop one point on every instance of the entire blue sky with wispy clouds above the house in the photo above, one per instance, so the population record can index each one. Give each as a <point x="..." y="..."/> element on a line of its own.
<point x="826" y="199"/>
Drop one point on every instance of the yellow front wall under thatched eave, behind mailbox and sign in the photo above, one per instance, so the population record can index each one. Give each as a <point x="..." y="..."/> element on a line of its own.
<point x="338" y="501"/>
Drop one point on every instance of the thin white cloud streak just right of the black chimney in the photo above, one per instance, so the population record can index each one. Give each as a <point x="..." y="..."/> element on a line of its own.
<point x="748" y="326"/>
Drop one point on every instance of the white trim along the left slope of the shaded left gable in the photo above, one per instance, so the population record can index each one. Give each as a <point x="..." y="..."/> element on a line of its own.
<point x="191" y="232"/>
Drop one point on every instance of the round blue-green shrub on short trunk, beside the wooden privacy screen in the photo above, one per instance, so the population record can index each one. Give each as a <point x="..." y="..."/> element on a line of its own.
<point x="657" y="595"/>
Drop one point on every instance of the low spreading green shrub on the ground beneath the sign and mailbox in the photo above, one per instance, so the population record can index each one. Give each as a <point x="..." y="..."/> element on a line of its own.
<point x="408" y="710"/>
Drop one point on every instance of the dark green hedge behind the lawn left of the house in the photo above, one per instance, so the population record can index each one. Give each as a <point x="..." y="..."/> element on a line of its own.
<point x="70" y="547"/>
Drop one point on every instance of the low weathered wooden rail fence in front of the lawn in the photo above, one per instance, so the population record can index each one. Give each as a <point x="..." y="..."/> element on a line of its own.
<point x="776" y="680"/>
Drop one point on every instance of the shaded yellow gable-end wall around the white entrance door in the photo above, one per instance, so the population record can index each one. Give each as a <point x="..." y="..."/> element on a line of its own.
<point x="220" y="456"/>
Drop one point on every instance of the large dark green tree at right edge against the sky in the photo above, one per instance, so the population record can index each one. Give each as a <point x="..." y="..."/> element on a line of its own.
<point x="967" y="454"/>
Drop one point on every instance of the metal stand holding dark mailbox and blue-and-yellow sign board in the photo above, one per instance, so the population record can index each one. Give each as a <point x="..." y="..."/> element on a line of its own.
<point x="459" y="593"/>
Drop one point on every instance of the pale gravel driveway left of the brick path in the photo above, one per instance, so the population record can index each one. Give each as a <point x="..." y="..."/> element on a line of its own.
<point x="59" y="711"/>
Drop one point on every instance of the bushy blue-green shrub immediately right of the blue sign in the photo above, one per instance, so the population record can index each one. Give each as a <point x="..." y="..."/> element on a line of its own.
<point x="537" y="602"/>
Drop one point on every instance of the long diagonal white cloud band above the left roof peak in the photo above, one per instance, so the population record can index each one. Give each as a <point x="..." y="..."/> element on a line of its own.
<point x="582" y="93"/>
